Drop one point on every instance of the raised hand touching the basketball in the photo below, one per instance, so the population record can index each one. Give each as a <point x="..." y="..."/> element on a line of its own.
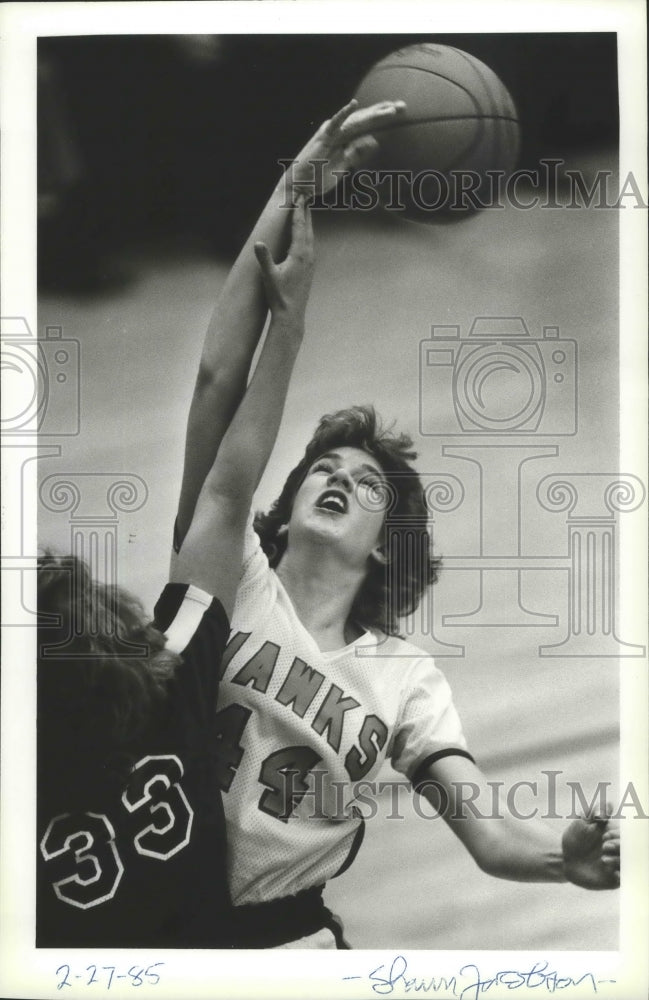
<point x="342" y="143"/>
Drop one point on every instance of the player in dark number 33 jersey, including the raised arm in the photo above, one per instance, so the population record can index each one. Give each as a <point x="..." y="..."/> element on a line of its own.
<point x="131" y="844"/>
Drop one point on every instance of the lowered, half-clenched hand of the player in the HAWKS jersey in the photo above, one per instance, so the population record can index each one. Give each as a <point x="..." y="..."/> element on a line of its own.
<point x="591" y="852"/>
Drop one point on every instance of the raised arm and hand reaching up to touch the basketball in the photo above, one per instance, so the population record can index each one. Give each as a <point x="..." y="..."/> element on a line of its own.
<point x="240" y="314"/>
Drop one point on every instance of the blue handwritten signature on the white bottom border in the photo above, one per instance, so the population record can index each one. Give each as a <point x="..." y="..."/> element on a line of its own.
<point x="469" y="983"/>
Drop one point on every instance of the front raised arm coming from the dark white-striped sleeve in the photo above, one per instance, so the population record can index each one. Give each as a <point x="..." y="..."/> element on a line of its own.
<point x="210" y="555"/>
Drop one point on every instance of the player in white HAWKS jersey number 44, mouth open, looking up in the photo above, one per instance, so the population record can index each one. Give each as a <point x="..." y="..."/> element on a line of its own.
<point x="317" y="690"/>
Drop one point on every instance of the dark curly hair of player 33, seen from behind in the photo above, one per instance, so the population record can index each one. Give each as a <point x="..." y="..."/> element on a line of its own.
<point x="102" y="668"/>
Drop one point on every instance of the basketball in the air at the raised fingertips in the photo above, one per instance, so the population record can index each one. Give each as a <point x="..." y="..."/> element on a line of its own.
<point x="460" y="123"/>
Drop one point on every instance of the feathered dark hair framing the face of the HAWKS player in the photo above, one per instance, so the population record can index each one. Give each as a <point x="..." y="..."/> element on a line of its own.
<point x="394" y="590"/>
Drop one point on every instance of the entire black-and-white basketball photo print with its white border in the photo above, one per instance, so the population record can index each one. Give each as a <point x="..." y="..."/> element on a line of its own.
<point x="334" y="627"/>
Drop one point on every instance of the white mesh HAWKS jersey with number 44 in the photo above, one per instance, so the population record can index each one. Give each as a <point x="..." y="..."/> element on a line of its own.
<point x="302" y="732"/>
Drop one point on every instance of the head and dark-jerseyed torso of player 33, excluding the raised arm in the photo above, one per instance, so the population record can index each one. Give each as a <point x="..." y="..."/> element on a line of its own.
<point x="130" y="831"/>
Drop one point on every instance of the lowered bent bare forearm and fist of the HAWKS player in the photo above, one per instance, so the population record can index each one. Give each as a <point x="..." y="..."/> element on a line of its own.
<point x="523" y="850"/>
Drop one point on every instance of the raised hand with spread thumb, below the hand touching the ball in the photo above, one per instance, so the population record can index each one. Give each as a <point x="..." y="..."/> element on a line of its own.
<point x="287" y="285"/>
